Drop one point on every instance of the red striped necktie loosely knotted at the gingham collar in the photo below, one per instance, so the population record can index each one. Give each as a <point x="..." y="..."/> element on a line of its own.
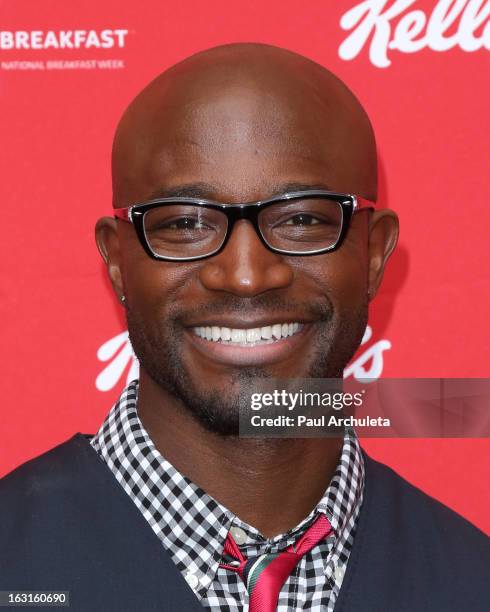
<point x="265" y="575"/>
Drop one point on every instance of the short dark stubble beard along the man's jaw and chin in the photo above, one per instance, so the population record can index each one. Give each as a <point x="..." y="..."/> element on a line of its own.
<point x="159" y="351"/>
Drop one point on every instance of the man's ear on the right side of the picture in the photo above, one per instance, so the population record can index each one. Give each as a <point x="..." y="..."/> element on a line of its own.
<point x="383" y="236"/>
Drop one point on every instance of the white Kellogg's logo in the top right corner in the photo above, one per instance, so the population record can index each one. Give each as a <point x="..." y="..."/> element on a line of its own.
<point x="390" y="26"/>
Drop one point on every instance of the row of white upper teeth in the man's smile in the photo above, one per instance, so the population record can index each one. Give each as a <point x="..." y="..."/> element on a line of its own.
<point x="252" y="336"/>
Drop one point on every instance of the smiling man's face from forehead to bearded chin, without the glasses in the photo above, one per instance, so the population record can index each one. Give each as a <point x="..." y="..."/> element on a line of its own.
<point x="239" y="147"/>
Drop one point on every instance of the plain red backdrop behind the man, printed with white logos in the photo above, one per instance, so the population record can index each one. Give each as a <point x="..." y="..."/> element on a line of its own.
<point x="421" y="70"/>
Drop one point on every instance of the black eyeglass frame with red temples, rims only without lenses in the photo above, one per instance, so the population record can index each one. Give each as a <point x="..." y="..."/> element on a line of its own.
<point x="249" y="211"/>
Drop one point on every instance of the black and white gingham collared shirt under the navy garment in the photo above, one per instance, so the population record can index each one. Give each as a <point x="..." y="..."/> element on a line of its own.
<point x="193" y="527"/>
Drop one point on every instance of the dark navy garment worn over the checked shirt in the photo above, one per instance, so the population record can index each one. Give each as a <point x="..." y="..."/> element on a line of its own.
<point x="66" y="524"/>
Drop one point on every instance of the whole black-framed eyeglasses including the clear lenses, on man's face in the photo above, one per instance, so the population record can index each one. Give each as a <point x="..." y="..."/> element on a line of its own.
<point x="297" y="223"/>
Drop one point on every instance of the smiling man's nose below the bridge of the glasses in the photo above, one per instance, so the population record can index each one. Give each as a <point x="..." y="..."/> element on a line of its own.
<point x="245" y="267"/>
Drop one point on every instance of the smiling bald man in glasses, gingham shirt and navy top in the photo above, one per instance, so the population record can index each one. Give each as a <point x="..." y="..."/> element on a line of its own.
<point x="166" y="507"/>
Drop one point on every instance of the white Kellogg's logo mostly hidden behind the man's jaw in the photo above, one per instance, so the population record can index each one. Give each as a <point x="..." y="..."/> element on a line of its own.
<point x="119" y="356"/>
